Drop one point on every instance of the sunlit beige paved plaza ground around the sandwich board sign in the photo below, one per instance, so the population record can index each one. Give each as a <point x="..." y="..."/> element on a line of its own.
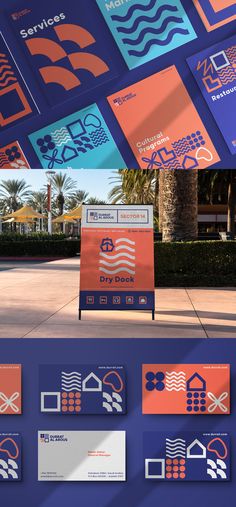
<point x="40" y="300"/>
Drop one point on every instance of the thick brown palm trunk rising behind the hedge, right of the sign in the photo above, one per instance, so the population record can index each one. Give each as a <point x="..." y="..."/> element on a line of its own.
<point x="180" y="205"/>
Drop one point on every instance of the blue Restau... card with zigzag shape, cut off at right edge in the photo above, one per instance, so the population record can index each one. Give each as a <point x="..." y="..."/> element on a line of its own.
<point x="215" y="72"/>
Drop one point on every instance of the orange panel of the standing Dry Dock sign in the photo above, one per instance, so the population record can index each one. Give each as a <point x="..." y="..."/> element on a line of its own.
<point x="144" y="262"/>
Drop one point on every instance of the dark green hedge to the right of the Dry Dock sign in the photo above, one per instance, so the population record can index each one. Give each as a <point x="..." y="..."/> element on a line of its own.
<point x="198" y="263"/>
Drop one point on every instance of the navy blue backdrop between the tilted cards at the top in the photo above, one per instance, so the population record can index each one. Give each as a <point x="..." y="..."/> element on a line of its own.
<point x="126" y="78"/>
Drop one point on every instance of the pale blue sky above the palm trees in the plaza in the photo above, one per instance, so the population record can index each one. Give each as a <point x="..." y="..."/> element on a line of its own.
<point x="97" y="183"/>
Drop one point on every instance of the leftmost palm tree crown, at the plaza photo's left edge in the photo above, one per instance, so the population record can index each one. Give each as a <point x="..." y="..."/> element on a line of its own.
<point x="12" y="194"/>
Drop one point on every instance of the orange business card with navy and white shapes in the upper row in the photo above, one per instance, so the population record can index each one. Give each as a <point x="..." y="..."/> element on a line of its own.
<point x="175" y="402"/>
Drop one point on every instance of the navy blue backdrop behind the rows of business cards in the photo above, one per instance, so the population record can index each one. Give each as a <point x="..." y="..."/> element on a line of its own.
<point x="135" y="492"/>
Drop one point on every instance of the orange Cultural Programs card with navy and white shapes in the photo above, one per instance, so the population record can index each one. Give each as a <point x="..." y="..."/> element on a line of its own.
<point x="162" y="125"/>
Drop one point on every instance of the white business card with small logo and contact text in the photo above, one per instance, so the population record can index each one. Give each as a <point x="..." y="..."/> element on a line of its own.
<point x="82" y="456"/>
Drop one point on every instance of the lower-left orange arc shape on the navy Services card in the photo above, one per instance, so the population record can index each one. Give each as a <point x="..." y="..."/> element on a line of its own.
<point x="60" y="76"/>
